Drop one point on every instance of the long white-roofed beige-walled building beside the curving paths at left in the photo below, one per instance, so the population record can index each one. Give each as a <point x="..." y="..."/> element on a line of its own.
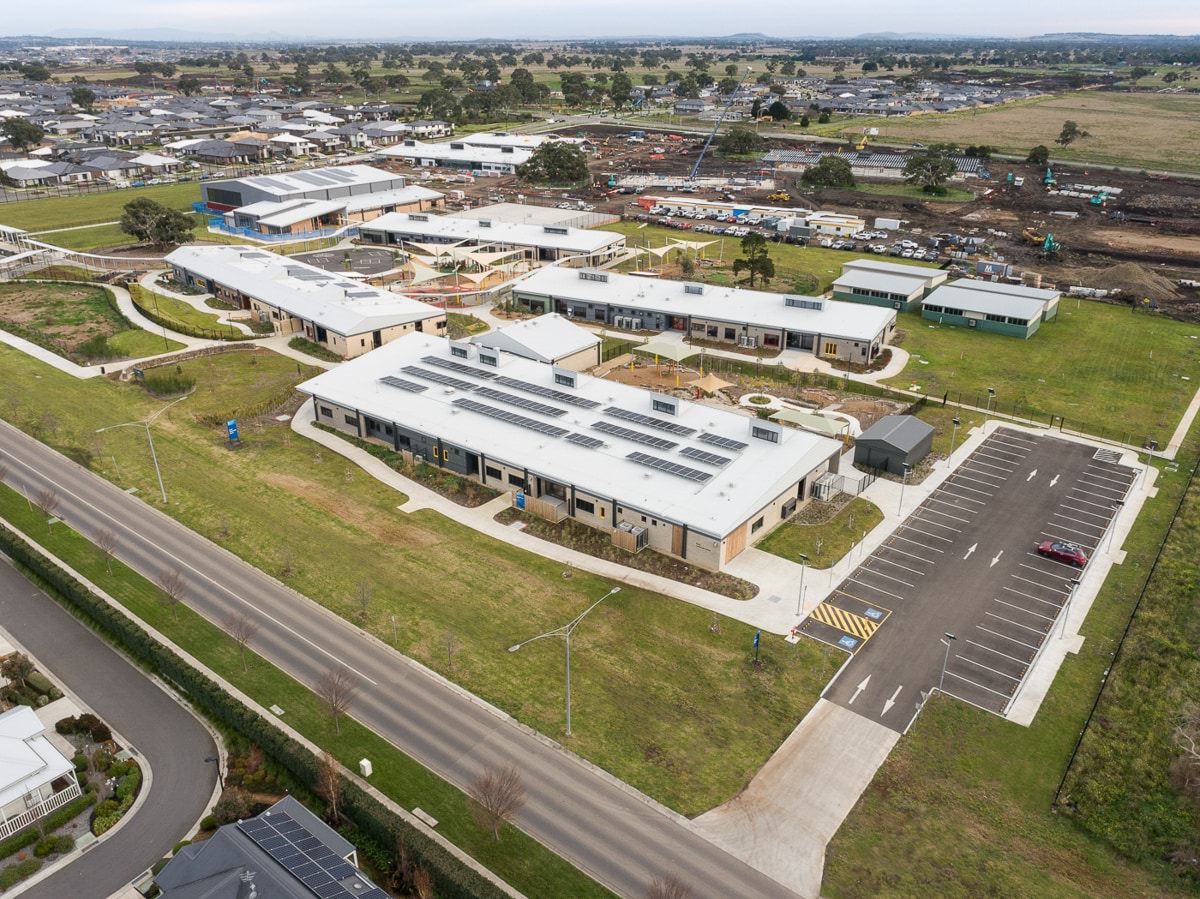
<point x="345" y="316"/>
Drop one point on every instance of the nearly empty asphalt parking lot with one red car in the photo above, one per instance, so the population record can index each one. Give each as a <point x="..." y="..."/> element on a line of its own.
<point x="965" y="562"/>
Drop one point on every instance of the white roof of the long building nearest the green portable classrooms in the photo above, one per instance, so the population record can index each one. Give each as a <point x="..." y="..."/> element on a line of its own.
<point x="836" y="319"/>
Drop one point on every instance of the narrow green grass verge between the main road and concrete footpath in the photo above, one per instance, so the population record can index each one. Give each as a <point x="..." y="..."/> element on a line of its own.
<point x="523" y="861"/>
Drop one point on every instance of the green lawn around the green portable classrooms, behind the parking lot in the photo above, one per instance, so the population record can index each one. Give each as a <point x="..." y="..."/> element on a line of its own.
<point x="1105" y="369"/>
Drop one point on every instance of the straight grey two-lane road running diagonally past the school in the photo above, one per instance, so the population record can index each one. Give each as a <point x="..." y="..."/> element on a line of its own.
<point x="616" y="838"/>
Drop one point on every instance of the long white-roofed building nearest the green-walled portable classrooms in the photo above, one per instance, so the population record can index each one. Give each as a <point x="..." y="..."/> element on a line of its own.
<point x="727" y="315"/>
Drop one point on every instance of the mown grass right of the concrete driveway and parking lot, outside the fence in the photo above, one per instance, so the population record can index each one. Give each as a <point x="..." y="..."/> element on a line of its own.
<point x="963" y="807"/>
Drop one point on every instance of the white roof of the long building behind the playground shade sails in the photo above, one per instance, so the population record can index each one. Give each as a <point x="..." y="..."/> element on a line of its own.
<point x="454" y="230"/>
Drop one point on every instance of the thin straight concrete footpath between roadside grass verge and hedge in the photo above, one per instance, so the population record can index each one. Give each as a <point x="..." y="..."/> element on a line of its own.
<point x="391" y="805"/>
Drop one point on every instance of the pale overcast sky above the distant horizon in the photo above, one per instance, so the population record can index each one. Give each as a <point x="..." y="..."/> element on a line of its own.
<point x="467" y="20"/>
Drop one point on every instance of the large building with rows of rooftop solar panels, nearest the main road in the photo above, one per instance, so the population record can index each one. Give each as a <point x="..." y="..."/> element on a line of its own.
<point x="687" y="480"/>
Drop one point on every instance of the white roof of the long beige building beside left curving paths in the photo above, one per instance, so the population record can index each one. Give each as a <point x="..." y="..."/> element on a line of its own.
<point x="325" y="298"/>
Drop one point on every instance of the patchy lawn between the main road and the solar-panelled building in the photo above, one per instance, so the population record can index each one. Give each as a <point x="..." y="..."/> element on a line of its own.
<point x="661" y="702"/>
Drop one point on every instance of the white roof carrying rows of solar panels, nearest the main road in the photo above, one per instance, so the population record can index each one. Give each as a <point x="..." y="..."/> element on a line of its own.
<point x="715" y="506"/>
